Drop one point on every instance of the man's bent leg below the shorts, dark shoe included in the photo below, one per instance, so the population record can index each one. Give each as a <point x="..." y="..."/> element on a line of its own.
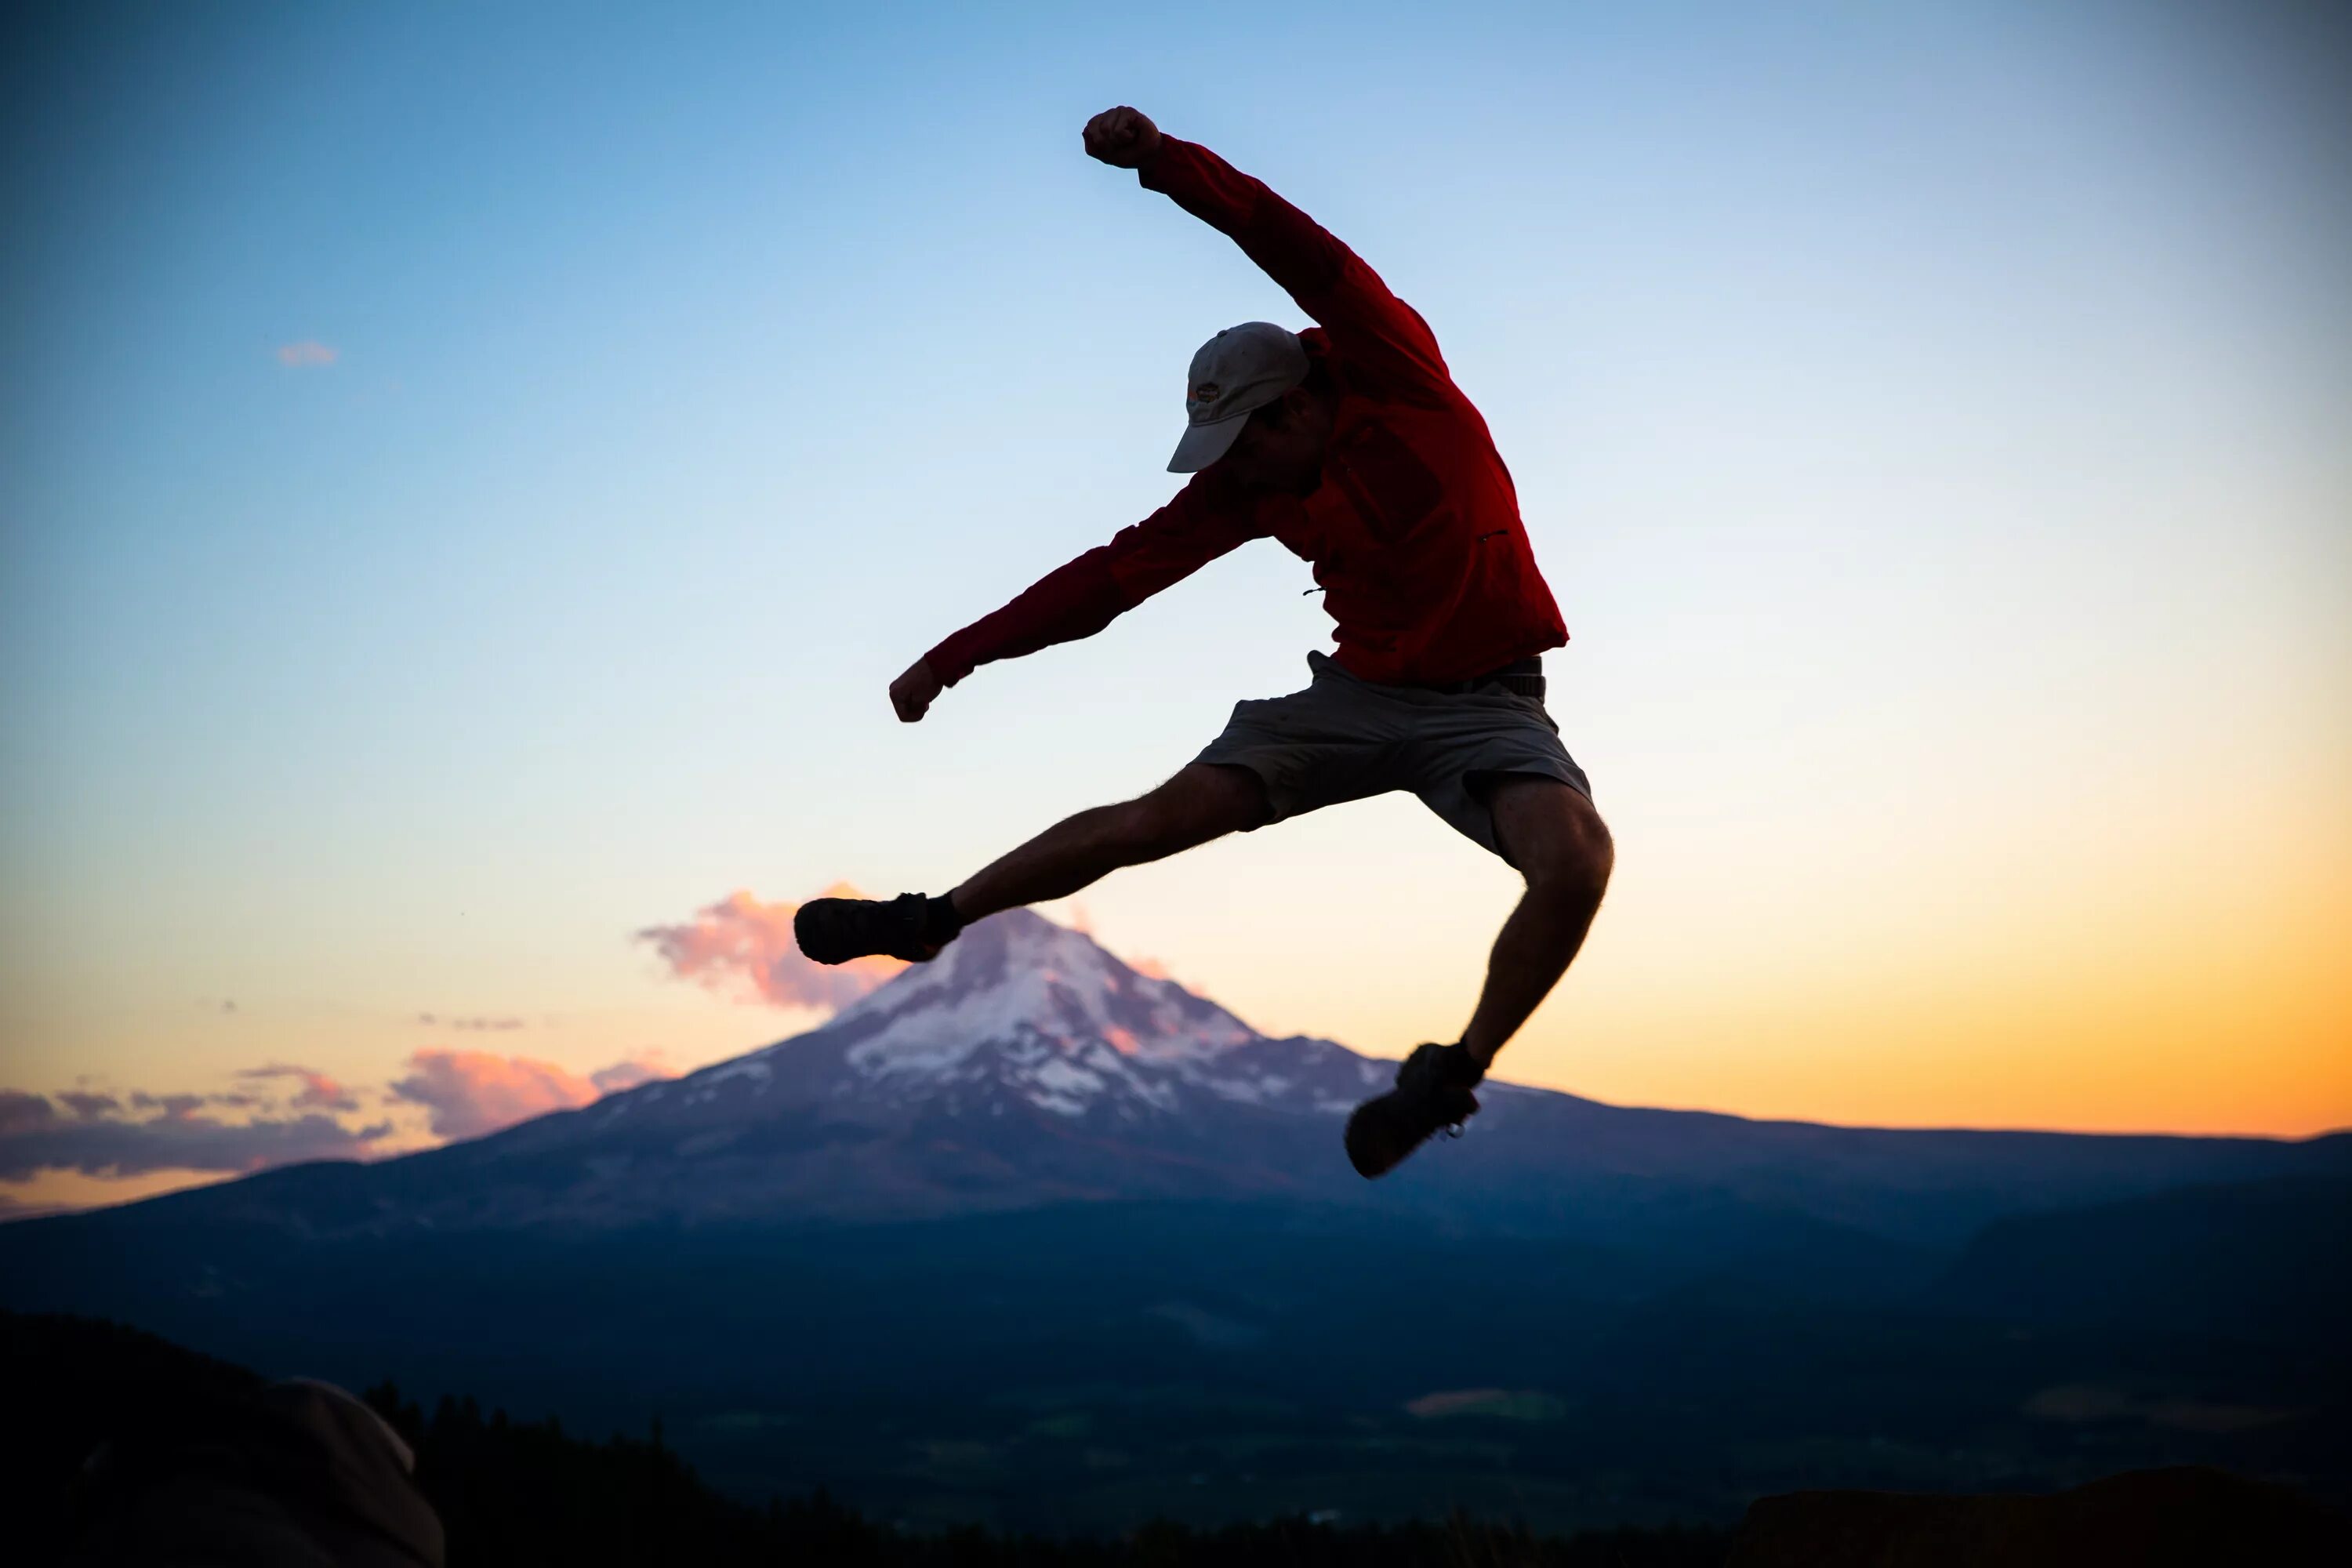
<point x="1561" y="845"/>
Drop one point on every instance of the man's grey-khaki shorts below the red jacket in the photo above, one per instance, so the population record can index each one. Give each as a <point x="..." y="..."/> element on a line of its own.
<point x="1349" y="739"/>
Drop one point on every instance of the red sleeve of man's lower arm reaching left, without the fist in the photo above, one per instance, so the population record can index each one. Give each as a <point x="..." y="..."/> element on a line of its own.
<point x="1100" y="587"/>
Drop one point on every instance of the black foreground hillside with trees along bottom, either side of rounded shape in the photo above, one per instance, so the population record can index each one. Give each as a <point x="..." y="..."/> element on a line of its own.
<point x="516" y="1494"/>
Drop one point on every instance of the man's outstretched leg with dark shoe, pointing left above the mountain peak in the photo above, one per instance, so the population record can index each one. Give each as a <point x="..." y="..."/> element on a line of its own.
<point x="1201" y="803"/>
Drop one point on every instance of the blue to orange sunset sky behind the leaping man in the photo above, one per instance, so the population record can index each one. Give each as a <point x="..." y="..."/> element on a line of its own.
<point x="467" y="481"/>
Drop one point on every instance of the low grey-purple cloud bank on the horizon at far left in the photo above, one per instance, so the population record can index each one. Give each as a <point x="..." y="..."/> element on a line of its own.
<point x="93" y="1137"/>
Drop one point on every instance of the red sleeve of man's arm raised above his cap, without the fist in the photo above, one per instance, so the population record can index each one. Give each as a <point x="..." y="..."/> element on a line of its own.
<point x="1330" y="281"/>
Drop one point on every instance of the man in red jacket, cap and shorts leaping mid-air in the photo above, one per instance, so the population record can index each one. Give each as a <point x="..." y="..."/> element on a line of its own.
<point x="1356" y="450"/>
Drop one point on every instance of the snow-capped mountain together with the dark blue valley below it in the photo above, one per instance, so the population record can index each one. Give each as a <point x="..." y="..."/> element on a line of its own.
<point x="1034" y="1238"/>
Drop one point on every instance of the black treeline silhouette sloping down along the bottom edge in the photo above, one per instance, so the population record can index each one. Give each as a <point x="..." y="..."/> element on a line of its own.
<point x="530" y="1492"/>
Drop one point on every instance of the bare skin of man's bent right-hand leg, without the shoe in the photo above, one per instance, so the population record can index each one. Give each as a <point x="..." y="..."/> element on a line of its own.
<point x="1563" y="847"/>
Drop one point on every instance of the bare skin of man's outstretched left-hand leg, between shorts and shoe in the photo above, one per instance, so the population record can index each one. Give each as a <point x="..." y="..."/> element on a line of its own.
<point x="1203" y="803"/>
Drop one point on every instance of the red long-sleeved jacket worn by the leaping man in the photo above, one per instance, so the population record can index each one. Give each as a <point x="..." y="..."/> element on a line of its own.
<point x="1415" y="530"/>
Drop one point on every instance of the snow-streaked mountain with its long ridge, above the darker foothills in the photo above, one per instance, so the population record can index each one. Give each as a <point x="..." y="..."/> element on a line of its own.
<point x="1029" y="1066"/>
